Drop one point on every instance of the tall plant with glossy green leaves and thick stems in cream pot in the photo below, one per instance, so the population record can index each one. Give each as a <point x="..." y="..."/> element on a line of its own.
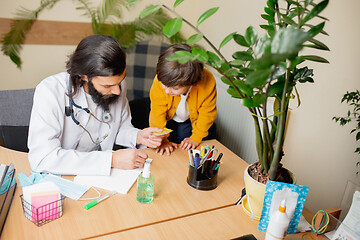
<point x="264" y="70"/>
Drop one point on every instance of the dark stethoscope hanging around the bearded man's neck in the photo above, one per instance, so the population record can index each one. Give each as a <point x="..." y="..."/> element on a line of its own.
<point x="69" y="112"/>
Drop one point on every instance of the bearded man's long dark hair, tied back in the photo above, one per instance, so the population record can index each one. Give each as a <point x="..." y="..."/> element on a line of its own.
<point x="95" y="55"/>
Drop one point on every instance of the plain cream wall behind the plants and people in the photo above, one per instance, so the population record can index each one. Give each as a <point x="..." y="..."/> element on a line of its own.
<point x="318" y="151"/>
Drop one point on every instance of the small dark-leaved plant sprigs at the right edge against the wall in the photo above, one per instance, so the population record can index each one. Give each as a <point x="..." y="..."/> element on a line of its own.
<point x="353" y="100"/>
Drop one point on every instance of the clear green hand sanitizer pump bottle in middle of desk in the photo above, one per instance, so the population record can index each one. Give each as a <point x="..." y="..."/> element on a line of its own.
<point x="145" y="185"/>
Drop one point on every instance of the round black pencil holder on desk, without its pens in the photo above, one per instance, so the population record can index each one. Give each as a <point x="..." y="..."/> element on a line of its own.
<point x="202" y="180"/>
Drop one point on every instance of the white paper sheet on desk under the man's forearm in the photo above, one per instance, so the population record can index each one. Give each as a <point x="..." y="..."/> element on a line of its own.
<point x="119" y="180"/>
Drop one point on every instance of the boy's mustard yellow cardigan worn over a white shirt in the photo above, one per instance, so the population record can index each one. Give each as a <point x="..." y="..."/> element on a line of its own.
<point x="201" y="102"/>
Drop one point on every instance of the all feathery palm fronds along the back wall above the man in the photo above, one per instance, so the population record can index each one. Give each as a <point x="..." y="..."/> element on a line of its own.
<point x="105" y="19"/>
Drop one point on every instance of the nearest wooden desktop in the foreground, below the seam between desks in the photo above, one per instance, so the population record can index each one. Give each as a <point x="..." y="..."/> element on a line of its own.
<point x="225" y="223"/>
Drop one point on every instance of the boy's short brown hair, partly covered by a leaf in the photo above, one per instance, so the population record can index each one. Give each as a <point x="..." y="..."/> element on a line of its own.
<point x="172" y="73"/>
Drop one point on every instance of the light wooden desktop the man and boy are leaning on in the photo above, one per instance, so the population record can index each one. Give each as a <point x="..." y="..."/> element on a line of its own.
<point x="174" y="198"/>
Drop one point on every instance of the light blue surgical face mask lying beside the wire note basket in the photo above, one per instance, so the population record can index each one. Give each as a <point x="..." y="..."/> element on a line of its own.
<point x="67" y="188"/>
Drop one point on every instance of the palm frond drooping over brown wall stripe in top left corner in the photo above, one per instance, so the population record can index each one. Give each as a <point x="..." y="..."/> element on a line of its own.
<point x="24" y="19"/>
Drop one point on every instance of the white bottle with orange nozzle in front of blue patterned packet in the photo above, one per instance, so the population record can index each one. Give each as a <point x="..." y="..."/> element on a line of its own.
<point x="278" y="224"/>
